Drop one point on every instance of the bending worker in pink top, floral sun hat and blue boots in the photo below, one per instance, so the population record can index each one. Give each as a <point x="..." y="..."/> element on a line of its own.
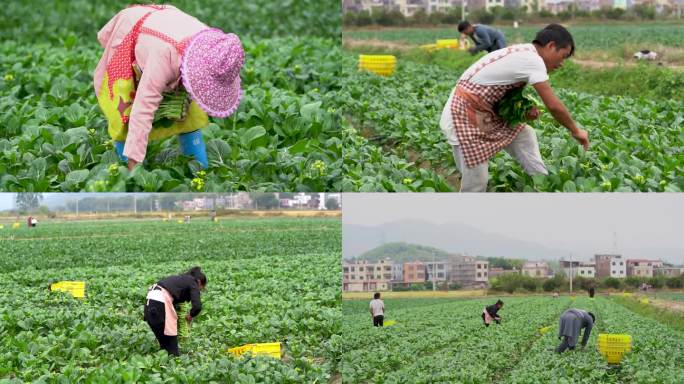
<point x="152" y="49"/>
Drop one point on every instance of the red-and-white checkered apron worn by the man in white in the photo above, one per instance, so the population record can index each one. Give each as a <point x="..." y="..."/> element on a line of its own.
<point x="481" y="132"/>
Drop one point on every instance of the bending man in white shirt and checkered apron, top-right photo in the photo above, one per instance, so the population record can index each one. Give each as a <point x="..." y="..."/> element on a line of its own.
<point x="476" y="133"/>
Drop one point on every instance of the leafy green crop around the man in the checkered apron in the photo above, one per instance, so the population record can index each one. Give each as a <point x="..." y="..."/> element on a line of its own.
<point x="636" y="143"/>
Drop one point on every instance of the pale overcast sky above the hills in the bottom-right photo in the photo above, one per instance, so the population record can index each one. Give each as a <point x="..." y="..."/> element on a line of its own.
<point x="578" y="223"/>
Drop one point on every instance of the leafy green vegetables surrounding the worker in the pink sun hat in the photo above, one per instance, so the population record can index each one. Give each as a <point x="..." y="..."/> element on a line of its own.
<point x="284" y="136"/>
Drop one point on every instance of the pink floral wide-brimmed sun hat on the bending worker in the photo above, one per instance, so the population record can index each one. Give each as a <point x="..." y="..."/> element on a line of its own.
<point x="210" y="70"/>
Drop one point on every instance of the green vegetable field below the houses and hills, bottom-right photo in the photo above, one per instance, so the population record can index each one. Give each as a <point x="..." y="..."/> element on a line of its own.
<point x="444" y="341"/>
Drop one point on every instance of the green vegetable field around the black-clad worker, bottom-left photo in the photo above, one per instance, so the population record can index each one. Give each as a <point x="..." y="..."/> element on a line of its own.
<point x="268" y="280"/>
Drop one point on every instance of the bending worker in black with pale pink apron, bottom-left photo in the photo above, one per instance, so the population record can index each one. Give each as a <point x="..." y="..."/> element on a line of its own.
<point x="164" y="298"/>
